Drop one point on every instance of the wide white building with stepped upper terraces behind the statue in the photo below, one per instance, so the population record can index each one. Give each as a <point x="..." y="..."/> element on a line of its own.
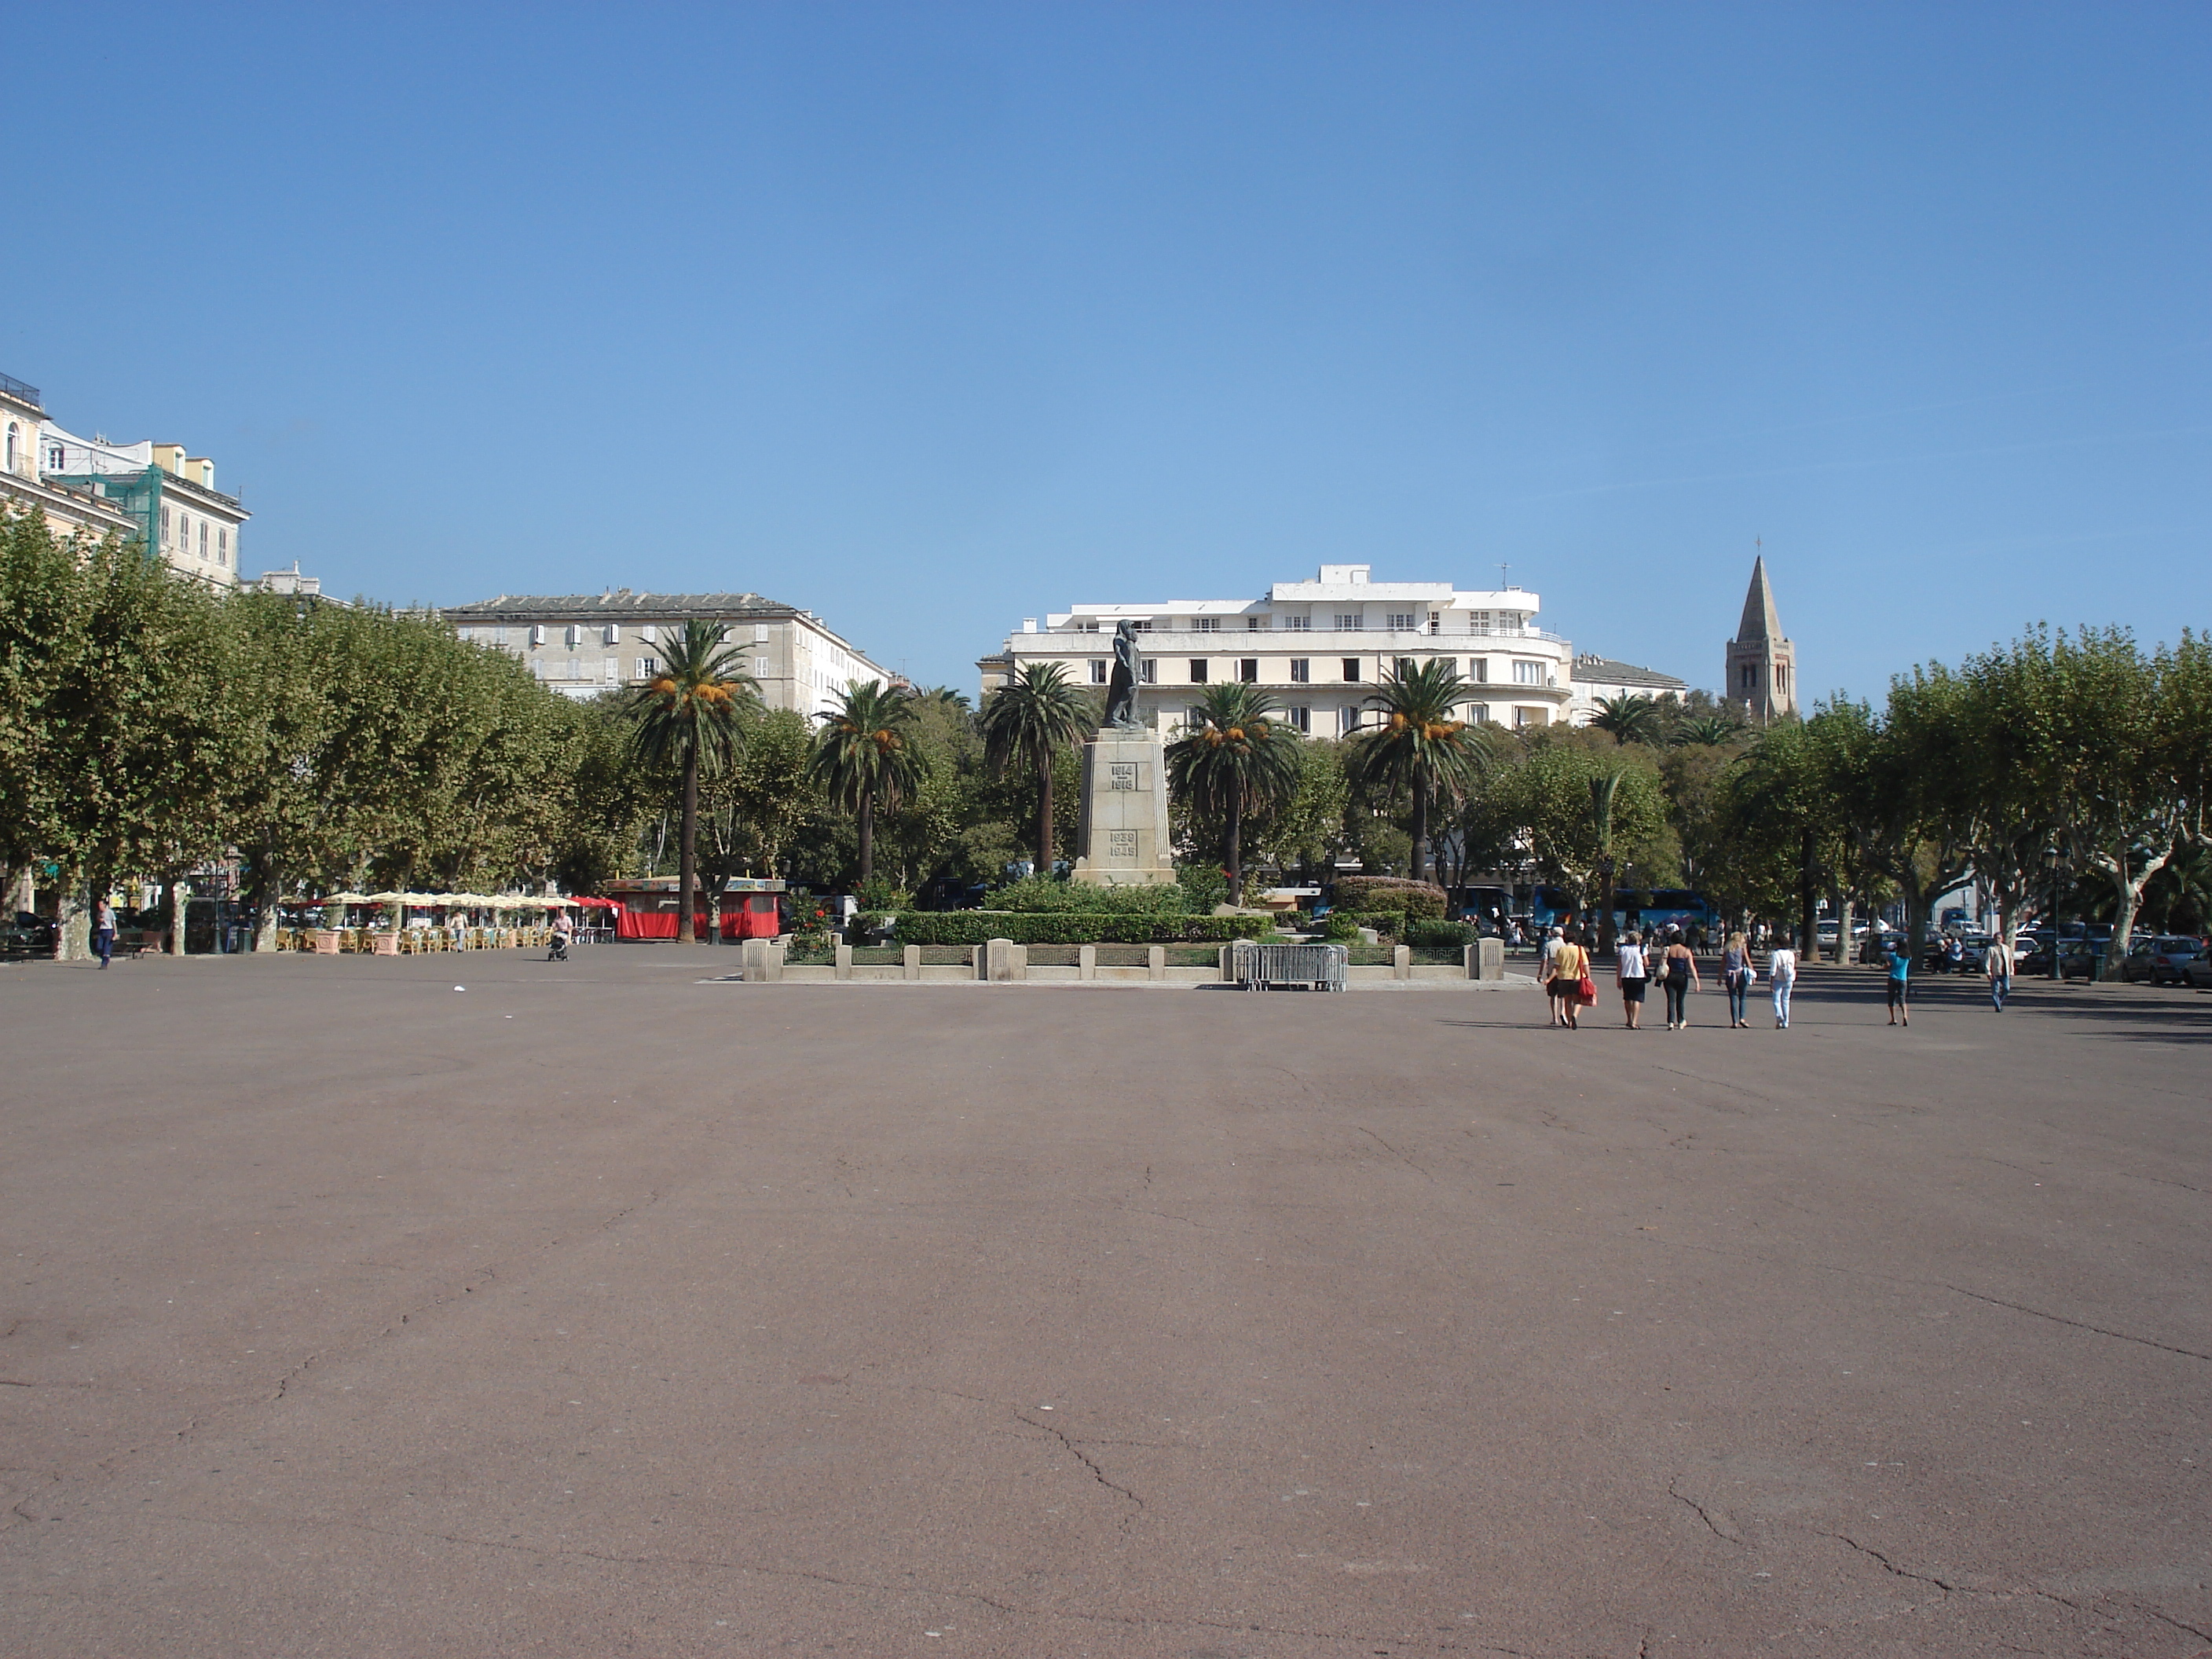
<point x="1319" y="647"/>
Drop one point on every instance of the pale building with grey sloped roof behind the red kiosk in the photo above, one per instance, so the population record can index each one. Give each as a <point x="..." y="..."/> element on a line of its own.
<point x="589" y="643"/>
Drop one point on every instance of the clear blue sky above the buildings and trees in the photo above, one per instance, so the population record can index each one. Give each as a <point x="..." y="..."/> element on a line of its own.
<point x="935" y="317"/>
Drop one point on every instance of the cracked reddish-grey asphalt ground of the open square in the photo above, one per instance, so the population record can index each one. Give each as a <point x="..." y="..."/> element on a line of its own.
<point x="603" y="1311"/>
